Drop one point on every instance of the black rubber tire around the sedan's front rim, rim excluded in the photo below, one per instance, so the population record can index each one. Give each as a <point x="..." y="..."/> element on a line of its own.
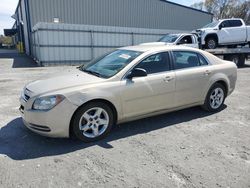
<point x="75" y="123"/>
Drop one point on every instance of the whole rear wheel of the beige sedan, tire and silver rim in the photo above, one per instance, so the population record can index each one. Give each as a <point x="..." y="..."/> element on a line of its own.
<point x="215" y="98"/>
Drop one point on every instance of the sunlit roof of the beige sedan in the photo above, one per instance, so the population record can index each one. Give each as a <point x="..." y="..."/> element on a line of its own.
<point x="153" y="48"/>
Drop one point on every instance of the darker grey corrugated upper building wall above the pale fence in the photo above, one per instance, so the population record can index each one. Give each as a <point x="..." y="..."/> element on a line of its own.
<point x="154" y="14"/>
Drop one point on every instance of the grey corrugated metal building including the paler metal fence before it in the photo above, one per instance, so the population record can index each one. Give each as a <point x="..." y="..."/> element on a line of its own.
<point x="146" y="19"/>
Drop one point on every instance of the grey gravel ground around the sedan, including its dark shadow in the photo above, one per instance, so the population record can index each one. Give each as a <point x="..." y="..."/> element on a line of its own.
<point x="188" y="148"/>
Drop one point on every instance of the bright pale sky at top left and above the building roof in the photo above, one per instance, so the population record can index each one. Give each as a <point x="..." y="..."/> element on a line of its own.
<point x="8" y="7"/>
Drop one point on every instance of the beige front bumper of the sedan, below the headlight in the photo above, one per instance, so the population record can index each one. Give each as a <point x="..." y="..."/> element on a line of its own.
<point x="51" y="123"/>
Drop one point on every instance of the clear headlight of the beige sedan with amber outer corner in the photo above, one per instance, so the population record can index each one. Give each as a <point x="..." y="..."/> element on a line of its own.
<point x="47" y="103"/>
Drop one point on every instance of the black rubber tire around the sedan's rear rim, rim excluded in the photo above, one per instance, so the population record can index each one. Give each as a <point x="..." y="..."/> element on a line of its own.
<point x="207" y="105"/>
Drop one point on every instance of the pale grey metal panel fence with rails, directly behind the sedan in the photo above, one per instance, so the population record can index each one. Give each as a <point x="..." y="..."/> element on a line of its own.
<point x="74" y="44"/>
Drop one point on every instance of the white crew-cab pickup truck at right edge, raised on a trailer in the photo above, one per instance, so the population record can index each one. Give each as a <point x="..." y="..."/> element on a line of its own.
<point x="226" y="32"/>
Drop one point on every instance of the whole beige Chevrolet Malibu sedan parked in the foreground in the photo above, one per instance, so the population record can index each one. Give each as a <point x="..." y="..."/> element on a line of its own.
<point x="127" y="84"/>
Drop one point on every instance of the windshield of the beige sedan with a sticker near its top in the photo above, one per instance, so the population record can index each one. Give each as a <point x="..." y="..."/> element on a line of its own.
<point x="110" y="64"/>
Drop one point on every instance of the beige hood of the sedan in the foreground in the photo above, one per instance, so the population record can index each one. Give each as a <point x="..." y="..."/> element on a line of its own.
<point x="62" y="80"/>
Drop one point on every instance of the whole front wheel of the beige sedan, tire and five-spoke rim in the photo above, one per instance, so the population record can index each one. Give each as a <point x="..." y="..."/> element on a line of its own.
<point x="92" y="121"/>
